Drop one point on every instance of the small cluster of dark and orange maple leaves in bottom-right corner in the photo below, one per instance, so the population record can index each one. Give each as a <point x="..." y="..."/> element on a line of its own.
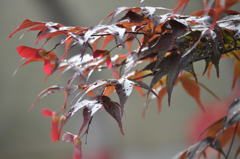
<point x="218" y="135"/>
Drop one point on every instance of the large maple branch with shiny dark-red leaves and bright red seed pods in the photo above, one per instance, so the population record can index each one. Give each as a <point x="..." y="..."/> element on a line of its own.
<point x="161" y="47"/>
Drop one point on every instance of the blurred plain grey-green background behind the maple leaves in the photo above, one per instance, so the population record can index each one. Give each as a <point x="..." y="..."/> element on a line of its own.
<point x="26" y="135"/>
